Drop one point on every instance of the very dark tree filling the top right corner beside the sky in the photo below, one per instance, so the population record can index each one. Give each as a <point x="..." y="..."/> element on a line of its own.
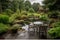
<point x="52" y="4"/>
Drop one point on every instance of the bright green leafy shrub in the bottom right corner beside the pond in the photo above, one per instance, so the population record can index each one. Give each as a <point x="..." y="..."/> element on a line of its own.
<point x="54" y="32"/>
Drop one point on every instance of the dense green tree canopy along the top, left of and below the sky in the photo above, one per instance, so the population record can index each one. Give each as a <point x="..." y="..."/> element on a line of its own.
<point x="18" y="4"/>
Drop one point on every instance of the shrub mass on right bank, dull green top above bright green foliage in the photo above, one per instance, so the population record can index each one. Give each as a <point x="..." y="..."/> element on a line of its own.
<point x="55" y="31"/>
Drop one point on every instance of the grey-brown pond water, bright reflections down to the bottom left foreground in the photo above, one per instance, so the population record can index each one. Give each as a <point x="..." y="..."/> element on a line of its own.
<point x="27" y="34"/>
